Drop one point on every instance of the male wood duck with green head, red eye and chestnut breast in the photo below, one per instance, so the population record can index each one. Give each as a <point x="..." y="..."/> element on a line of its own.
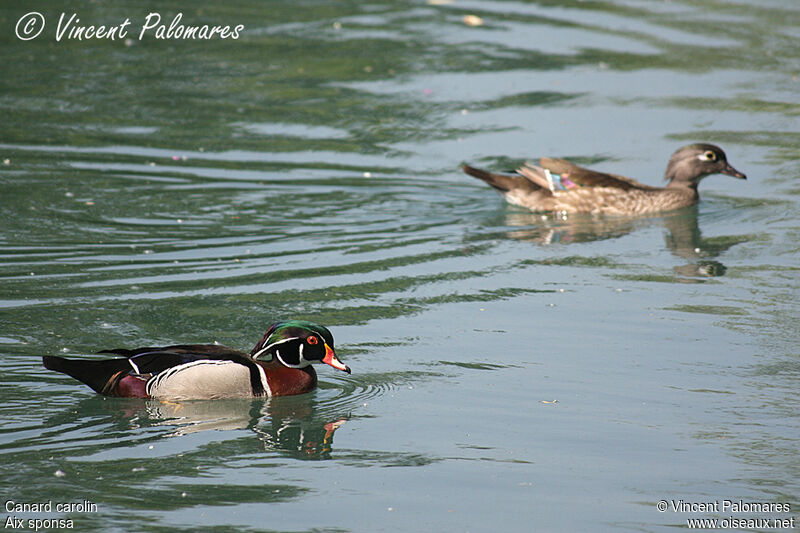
<point x="279" y="365"/>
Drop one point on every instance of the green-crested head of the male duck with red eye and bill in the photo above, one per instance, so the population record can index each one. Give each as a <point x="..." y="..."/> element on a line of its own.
<point x="297" y="344"/>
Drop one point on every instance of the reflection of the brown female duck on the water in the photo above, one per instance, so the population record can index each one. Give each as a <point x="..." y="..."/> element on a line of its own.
<point x="683" y="236"/>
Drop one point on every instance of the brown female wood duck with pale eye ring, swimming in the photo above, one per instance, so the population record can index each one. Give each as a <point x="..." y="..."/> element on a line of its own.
<point x="558" y="185"/>
